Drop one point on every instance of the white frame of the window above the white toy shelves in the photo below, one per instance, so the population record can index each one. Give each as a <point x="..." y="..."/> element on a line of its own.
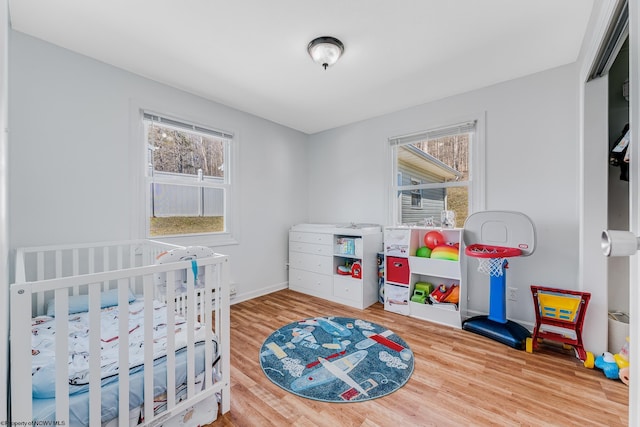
<point x="476" y="183"/>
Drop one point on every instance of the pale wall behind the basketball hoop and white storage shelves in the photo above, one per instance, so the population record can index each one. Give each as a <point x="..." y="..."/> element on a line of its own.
<point x="532" y="164"/>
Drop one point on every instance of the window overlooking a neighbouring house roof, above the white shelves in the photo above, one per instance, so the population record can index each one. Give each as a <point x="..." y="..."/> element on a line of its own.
<point x="433" y="171"/>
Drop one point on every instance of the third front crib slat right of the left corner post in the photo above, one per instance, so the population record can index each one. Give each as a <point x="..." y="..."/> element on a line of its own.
<point x="123" y="352"/>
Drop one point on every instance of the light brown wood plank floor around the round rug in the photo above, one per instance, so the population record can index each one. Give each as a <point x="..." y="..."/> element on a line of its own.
<point x="459" y="379"/>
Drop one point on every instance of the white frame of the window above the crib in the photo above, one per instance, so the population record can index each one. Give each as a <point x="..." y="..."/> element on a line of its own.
<point x="141" y="181"/>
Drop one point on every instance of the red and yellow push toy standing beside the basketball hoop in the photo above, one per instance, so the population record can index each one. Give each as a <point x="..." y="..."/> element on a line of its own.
<point x="559" y="317"/>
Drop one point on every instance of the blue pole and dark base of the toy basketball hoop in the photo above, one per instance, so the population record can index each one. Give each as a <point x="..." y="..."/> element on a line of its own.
<point x="495" y="325"/>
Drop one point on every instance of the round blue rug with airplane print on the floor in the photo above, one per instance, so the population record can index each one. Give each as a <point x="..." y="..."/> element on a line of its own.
<point x="336" y="359"/>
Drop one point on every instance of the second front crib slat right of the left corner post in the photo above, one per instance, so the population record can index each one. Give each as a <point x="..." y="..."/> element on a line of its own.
<point x="95" y="390"/>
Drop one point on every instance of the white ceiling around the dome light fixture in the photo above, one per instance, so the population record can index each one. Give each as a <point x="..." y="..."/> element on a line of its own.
<point x="251" y="54"/>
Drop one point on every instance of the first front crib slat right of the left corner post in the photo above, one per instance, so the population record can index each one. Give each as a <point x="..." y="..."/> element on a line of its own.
<point x="62" y="351"/>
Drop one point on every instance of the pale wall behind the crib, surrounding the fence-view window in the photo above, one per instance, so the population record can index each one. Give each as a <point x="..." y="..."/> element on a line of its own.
<point x="70" y="176"/>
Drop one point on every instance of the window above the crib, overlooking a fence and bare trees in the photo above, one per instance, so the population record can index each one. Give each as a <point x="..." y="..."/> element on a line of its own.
<point x="188" y="178"/>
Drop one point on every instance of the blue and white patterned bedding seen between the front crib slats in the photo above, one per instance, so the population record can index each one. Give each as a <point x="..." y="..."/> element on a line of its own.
<point x="43" y="359"/>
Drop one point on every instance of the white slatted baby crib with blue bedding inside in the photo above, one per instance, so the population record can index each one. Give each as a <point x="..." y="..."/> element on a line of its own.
<point x="67" y="292"/>
